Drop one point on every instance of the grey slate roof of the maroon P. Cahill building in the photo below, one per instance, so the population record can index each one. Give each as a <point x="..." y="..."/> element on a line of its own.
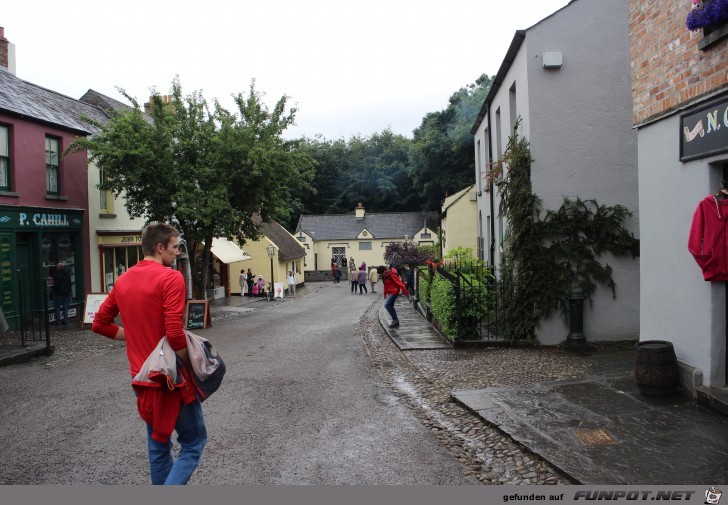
<point x="22" y="98"/>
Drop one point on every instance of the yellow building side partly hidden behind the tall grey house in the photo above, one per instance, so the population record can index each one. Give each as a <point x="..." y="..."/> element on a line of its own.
<point x="458" y="227"/>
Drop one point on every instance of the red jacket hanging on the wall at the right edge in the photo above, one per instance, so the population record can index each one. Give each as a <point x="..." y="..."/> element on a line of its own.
<point x="708" y="241"/>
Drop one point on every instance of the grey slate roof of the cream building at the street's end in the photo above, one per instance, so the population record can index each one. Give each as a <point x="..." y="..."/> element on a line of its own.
<point x="380" y="225"/>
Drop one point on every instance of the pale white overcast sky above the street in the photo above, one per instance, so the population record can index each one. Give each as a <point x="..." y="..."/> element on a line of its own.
<point x="349" y="67"/>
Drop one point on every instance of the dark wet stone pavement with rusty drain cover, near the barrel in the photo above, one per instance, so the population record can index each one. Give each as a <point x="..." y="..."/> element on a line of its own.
<point x="600" y="430"/>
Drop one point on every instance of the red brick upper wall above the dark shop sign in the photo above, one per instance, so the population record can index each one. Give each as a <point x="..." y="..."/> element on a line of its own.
<point x="668" y="69"/>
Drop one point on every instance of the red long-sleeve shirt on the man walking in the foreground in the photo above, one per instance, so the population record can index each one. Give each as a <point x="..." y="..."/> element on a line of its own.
<point x="151" y="300"/>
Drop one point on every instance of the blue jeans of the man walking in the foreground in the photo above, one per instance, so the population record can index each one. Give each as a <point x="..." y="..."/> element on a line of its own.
<point x="191" y="435"/>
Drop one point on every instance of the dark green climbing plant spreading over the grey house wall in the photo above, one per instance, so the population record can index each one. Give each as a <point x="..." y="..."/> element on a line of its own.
<point x="546" y="253"/>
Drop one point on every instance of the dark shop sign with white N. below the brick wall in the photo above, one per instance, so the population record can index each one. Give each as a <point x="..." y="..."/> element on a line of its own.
<point x="704" y="131"/>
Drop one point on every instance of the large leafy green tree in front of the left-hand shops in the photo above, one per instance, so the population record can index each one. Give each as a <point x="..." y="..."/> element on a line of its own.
<point x="212" y="172"/>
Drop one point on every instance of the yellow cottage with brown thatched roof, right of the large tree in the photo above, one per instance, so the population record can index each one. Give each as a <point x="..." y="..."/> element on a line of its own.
<point x="288" y="255"/>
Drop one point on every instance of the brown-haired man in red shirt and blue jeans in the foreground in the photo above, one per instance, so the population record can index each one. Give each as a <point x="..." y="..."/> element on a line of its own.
<point x="150" y="297"/>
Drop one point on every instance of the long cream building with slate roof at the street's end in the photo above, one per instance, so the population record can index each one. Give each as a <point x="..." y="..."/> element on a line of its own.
<point x="362" y="236"/>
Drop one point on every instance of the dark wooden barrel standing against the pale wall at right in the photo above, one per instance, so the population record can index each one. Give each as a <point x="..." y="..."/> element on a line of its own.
<point x="655" y="368"/>
